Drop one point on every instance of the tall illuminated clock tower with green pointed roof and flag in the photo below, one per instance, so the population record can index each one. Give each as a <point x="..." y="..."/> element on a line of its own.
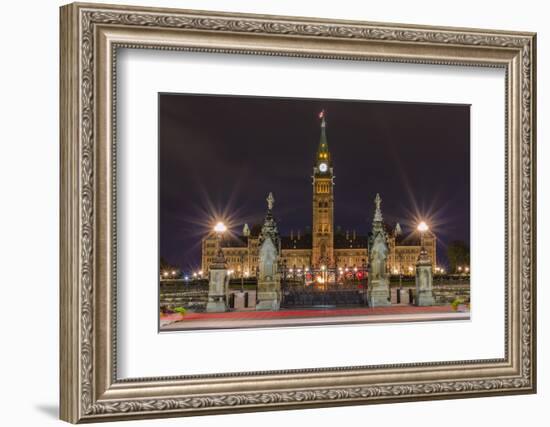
<point x="323" y="203"/>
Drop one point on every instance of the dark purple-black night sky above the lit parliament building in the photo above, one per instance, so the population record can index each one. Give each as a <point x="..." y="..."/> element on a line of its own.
<point x="221" y="155"/>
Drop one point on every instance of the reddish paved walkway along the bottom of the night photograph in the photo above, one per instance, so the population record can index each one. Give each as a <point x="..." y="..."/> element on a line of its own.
<point x="250" y="319"/>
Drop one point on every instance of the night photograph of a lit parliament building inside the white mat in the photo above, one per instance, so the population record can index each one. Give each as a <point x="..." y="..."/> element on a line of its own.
<point x="282" y="212"/>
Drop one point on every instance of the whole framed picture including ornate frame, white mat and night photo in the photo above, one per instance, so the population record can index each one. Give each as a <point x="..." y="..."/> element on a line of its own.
<point x="251" y="182"/>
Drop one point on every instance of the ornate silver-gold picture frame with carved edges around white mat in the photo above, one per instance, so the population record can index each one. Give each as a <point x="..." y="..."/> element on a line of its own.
<point x="91" y="389"/>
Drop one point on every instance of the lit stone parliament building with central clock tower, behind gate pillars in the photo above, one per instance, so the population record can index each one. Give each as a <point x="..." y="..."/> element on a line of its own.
<point x="321" y="247"/>
